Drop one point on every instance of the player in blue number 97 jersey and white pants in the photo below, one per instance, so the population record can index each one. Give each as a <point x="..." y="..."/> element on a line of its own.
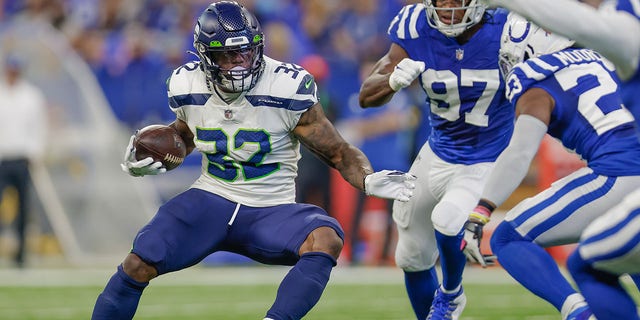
<point x="451" y="47"/>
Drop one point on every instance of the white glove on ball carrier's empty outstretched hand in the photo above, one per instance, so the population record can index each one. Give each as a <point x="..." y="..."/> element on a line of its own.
<point x="390" y="184"/>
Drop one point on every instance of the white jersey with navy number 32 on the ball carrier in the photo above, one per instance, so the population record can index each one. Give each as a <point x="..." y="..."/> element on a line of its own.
<point x="249" y="154"/>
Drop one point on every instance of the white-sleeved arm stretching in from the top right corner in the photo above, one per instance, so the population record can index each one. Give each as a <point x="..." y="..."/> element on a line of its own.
<point x="612" y="33"/>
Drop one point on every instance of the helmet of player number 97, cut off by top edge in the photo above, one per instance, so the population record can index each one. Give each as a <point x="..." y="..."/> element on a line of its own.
<point x="473" y="12"/>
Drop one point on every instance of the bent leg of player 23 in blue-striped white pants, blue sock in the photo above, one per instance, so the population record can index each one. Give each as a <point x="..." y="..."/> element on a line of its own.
<point x="553" y="217"/>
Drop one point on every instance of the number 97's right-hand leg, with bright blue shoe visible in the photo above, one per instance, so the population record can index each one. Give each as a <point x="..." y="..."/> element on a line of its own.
<point x="449" y="216"/>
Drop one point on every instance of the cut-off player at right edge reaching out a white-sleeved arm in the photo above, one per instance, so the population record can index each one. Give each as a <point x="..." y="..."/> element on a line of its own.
<point x="608" y="247"/>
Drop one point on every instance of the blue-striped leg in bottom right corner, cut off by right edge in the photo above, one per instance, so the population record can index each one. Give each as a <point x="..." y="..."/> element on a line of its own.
<point x="609" y="248"/>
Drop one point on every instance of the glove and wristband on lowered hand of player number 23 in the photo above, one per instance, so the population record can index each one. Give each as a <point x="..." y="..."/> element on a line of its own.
<point x="473" y="236"/>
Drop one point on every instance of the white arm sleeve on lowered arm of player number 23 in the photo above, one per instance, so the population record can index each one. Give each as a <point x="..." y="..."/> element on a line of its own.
<point x="513" y="163"/>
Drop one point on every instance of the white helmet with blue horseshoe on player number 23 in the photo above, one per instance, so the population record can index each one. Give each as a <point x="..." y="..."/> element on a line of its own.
<point x="522" y="40"/>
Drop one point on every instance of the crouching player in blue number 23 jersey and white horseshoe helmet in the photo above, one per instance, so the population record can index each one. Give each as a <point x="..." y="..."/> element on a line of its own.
<point x="572" y="95"/>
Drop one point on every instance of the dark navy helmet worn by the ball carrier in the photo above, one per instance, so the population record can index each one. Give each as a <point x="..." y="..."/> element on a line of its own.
<point x="229" y="42"/>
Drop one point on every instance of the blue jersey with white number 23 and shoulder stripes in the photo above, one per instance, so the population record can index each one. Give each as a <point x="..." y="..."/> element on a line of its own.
<point x="589" y="116"/>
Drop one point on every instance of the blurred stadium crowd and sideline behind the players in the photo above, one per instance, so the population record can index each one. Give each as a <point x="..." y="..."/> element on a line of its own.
<point x="102" y="65"/>
